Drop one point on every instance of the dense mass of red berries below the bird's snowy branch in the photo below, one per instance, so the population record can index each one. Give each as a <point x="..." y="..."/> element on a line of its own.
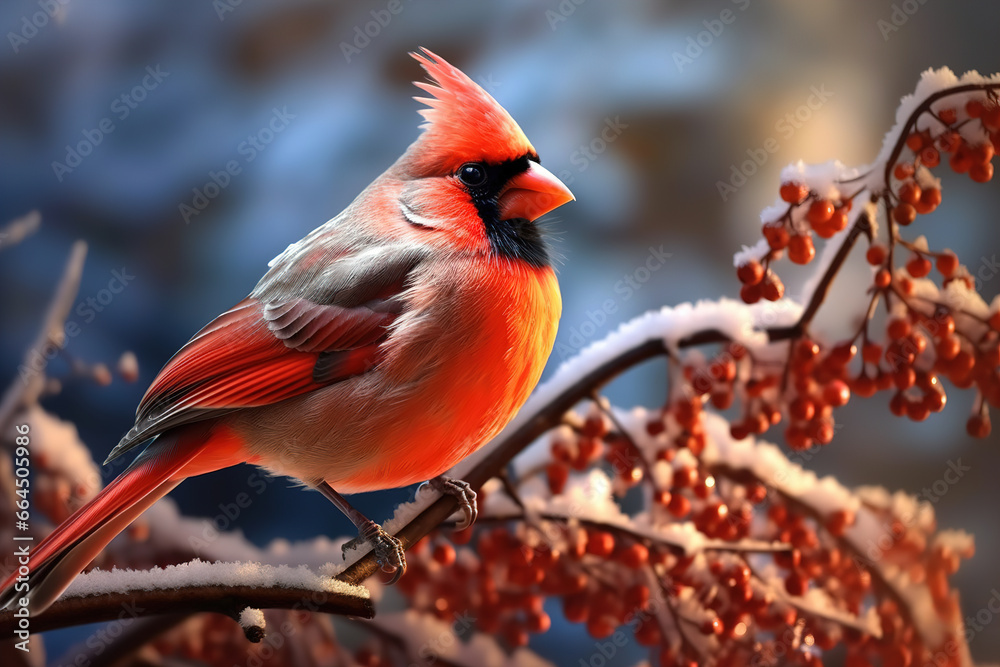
<point x="611" y="578"/>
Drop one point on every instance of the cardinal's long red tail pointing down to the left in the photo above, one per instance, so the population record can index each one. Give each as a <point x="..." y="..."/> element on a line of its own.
<point x="56" y="561"/>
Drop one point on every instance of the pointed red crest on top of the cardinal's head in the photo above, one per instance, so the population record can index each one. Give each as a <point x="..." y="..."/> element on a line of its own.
<point x="464" y="122"/>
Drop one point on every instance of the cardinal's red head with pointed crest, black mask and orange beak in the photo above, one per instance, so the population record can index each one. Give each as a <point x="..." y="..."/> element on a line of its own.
<point x="472" y="180"/>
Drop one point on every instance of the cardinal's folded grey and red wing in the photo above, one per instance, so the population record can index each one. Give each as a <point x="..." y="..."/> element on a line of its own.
<point x="317" y="318"/>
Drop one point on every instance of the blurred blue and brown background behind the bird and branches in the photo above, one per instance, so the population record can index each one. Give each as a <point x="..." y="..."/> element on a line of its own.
<point x="643" y="108"/>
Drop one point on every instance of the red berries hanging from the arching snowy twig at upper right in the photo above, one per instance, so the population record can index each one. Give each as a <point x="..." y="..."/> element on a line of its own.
<point x="925" y="340"/>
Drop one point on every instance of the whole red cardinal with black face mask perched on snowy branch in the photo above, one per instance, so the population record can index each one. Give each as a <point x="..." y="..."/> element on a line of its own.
<point x="376" y="352"/>
